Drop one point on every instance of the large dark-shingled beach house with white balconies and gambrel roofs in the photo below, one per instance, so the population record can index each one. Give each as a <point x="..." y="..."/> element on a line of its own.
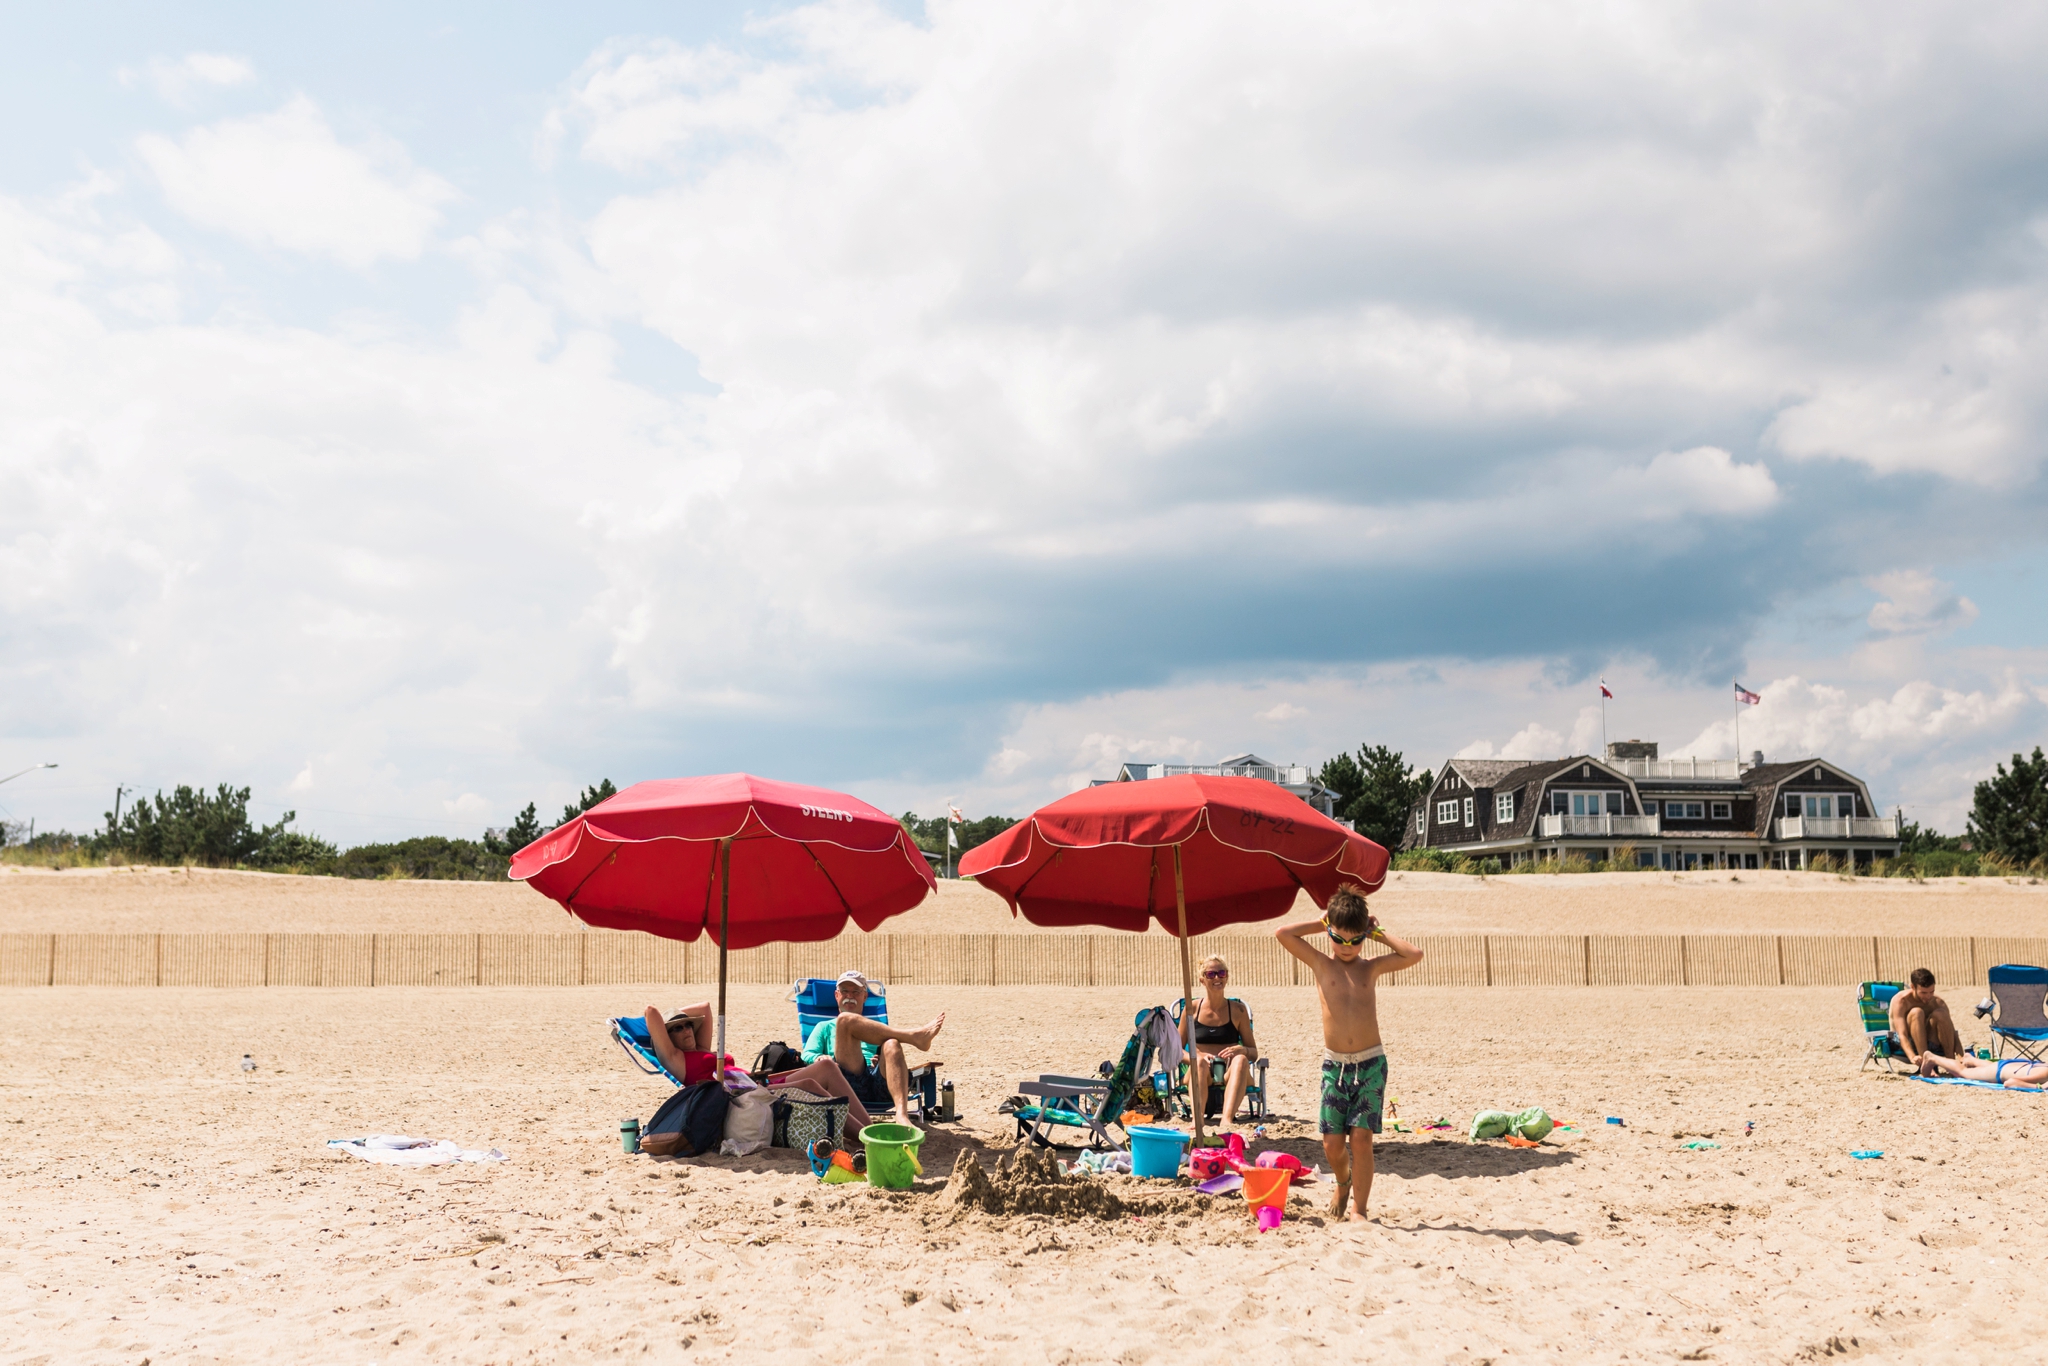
<point x="1660" y="814"/>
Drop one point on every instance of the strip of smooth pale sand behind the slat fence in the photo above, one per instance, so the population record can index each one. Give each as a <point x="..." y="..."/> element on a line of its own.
<point x="206" y="902"/>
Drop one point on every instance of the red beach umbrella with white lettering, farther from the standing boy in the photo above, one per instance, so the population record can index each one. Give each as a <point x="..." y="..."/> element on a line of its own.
<point x="749" y="861"/>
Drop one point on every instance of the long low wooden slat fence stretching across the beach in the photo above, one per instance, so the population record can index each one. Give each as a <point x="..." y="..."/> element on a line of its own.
<point x="1054" y="959"/>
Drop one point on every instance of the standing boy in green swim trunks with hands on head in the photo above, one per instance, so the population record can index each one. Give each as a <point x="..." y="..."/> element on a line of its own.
<point x="1355" y="1062"/>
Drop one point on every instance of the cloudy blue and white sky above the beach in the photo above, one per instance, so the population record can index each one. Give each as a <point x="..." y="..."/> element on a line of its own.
<point x="411" y="413"/>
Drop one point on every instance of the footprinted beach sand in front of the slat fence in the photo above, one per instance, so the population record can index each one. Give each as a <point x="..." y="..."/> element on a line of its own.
<point x="159" y="1203"/>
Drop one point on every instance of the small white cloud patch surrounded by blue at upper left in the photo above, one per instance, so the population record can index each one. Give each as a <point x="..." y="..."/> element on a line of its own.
<point x="286" y="181"/>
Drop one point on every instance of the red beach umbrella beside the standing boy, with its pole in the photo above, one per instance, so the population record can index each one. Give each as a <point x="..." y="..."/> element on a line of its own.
<point x="1236" y="851"/>
